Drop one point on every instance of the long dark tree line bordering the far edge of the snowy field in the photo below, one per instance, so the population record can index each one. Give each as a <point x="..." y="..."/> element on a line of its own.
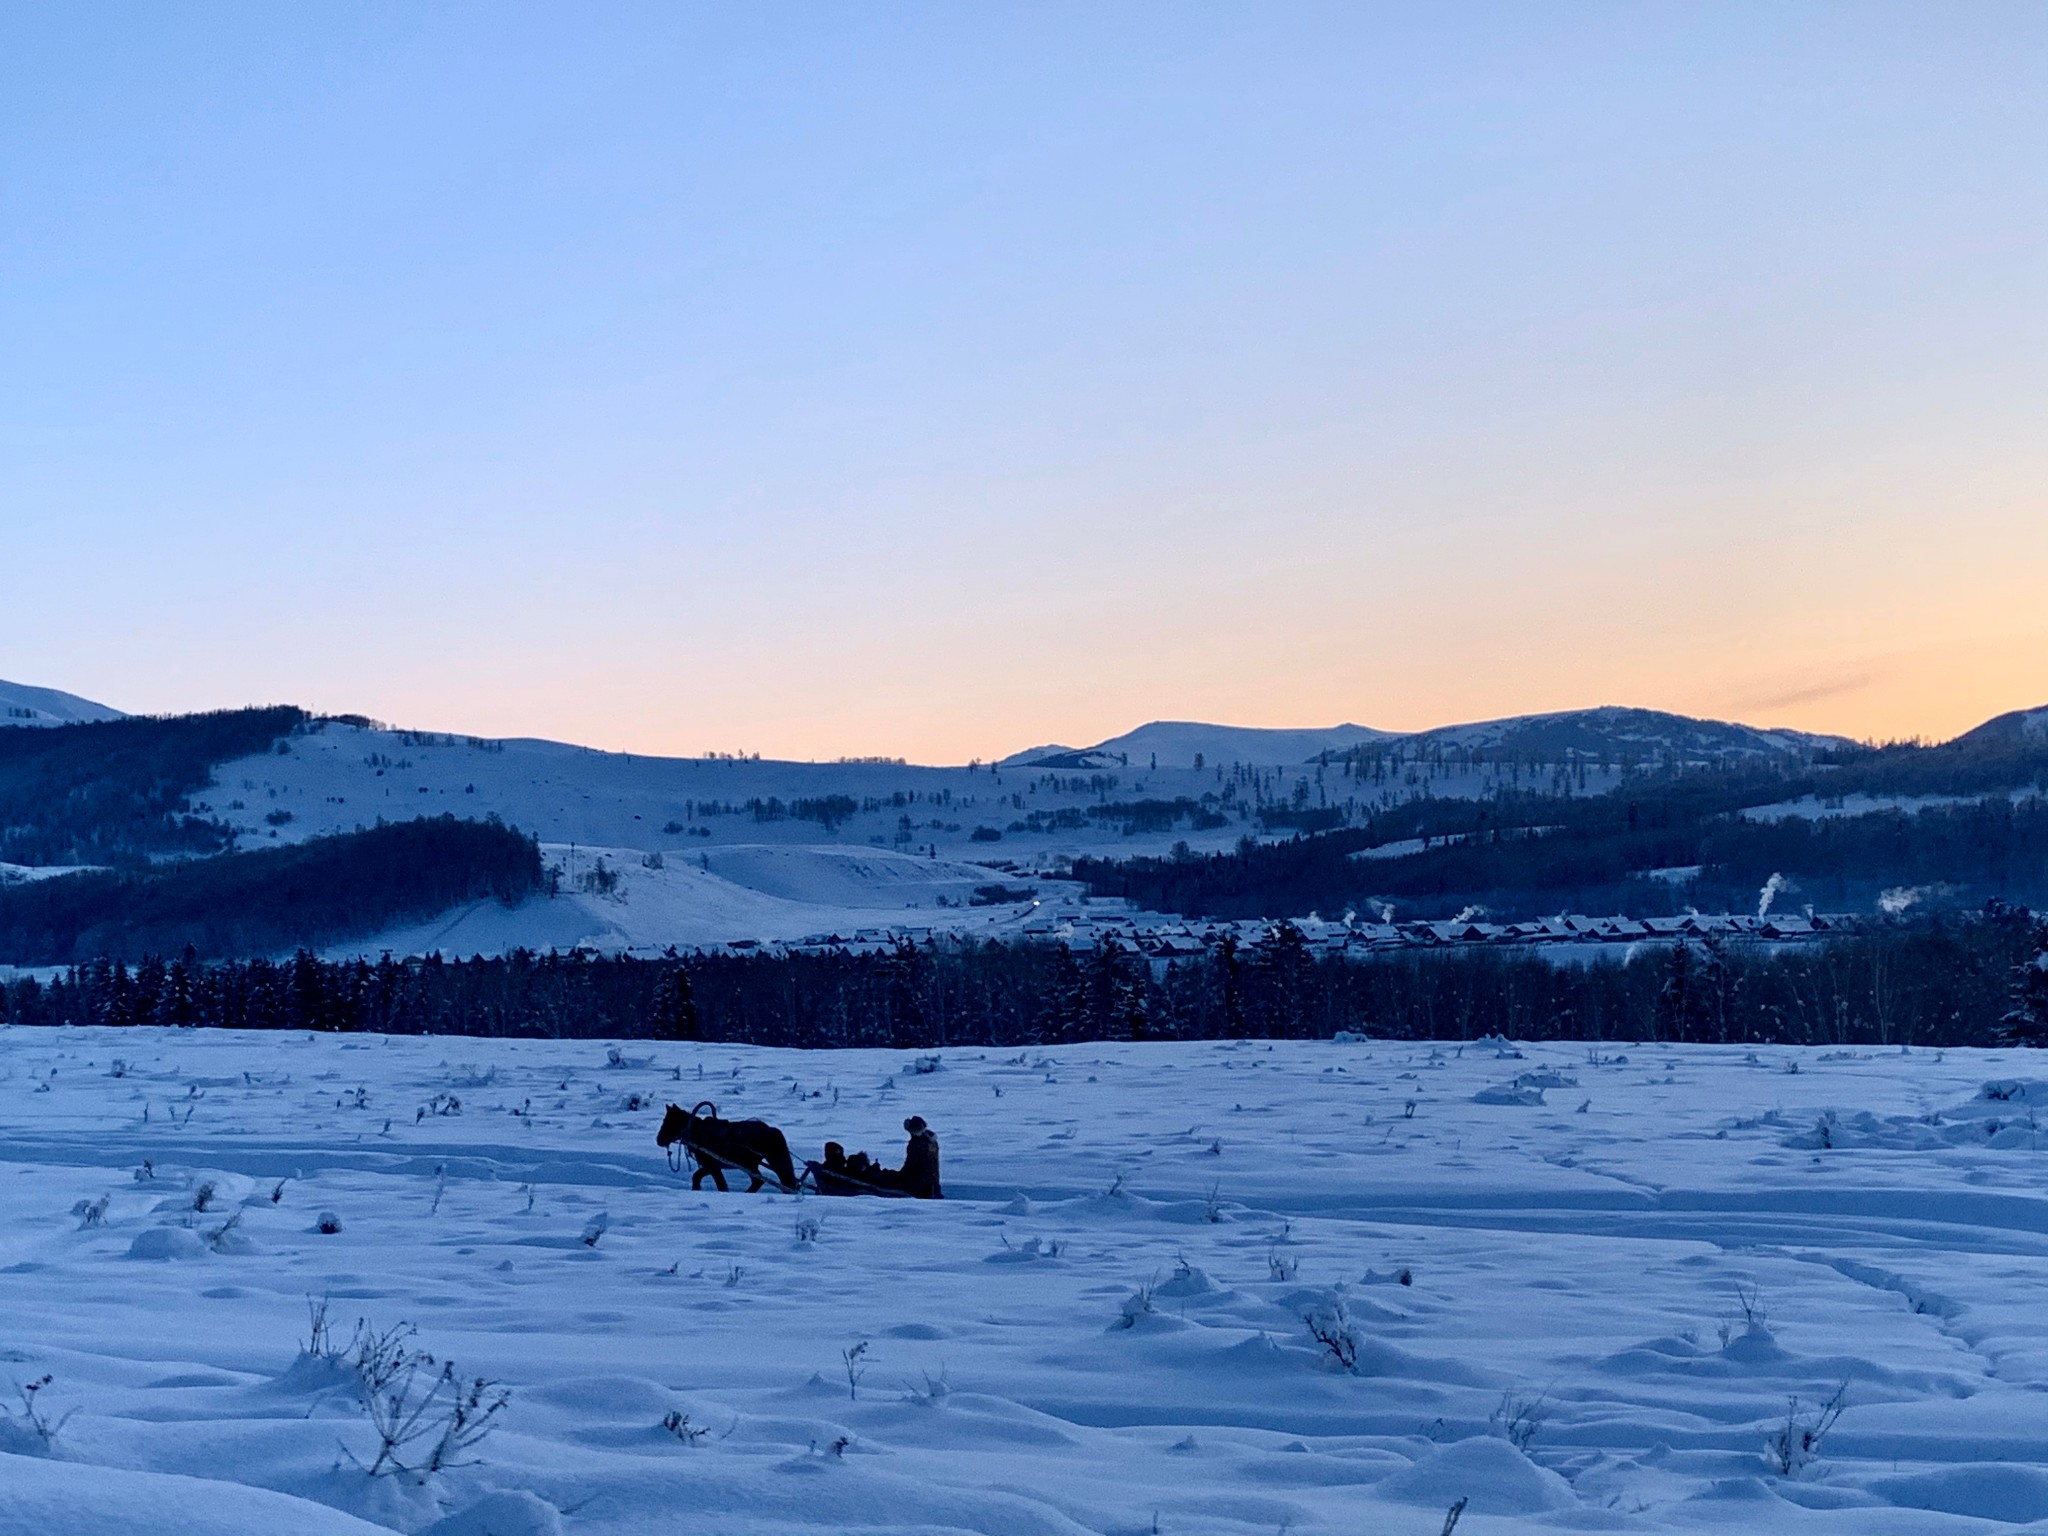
<point x="1934" y="984"/>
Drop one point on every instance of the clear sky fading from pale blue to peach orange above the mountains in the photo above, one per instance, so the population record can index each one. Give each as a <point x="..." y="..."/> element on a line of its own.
<point x="945" y="380"/>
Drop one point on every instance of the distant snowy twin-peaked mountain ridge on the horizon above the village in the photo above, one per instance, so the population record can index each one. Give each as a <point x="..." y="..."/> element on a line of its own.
<point x="1609" y="732"/>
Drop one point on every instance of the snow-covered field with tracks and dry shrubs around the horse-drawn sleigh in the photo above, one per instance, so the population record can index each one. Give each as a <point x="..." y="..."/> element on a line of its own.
<point x="1103" y="1328"/>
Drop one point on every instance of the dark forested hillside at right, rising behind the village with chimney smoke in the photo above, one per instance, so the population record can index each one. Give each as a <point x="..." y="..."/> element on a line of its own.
<point x="1658" y="843"/>
